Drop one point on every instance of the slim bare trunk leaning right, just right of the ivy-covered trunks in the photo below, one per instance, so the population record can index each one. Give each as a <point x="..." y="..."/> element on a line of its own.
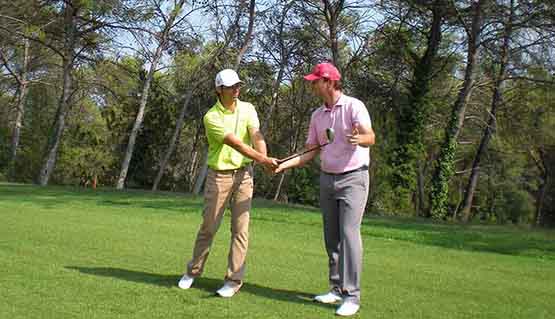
<point x="490" y="129"/>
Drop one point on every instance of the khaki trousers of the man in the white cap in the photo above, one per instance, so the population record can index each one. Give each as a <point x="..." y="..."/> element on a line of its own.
<point x="234" y="187"/>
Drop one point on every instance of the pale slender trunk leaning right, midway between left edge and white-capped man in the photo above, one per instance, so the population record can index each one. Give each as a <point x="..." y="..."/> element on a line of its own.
<point x="145" y="93"/>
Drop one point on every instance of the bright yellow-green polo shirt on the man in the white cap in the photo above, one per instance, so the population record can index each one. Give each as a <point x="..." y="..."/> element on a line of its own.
<point x="218" y="122"/>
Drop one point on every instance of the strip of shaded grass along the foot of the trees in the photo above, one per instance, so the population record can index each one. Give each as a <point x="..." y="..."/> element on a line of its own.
<point x="493" y="239"/>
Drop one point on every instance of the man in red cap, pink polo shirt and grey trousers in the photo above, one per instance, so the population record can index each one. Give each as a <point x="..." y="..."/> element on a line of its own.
<point x="343" y="182"/>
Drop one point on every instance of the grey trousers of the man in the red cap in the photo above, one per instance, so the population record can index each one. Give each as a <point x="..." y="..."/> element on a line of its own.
<point x="342" y="201"/>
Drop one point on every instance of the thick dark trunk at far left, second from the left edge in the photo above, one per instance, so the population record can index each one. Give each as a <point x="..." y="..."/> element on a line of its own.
<point x="70" y="12"/>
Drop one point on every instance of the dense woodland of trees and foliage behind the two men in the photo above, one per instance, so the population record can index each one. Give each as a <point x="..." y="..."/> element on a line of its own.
<point x="75" y="72"/>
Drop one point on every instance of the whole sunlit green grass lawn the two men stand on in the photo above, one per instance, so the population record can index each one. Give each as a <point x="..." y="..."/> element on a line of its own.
<point x="74" y="253"/>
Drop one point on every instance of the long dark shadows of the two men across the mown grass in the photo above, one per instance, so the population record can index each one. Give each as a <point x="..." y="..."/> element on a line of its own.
<point x="209" y="285"/>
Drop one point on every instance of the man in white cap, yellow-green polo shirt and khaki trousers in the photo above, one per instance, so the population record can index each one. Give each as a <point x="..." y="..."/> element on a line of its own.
<point x="234" y="141"/>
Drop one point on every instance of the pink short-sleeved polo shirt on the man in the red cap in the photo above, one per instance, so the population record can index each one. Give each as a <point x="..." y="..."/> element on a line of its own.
<point x="339" y="156"/>
